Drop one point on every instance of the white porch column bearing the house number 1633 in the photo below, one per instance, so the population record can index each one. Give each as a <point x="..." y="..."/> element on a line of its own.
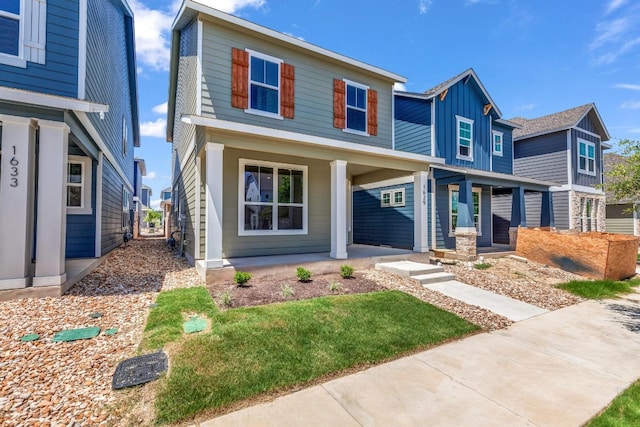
<point x="16" y="200"/>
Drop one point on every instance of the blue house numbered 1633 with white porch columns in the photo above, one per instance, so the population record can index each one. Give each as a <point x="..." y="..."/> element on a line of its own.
<point x="69" y="122"/>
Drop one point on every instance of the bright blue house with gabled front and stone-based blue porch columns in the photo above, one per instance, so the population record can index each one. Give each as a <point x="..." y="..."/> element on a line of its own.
<point x="460" y="123"/>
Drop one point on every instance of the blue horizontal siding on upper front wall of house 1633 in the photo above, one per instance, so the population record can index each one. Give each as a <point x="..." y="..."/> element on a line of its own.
<point x="59" y="74"/>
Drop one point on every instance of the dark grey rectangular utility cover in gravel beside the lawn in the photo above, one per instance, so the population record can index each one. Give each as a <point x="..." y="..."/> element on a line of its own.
<point x="139" y="370"/>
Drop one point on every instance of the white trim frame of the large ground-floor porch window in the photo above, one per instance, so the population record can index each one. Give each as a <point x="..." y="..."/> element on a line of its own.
<point x="241" y="202"/>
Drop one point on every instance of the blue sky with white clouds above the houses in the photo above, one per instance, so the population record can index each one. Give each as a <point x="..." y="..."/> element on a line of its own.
<point x="534" y="57"/>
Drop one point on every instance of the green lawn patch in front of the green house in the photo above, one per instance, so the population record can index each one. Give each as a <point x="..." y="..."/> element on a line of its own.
<point x="258" y="350"/>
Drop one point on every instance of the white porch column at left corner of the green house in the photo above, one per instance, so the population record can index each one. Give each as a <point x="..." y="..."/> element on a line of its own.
<point x="213" y="216"/>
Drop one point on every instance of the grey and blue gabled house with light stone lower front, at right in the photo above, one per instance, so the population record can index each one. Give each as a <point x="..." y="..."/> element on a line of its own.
<point x="567" y="148"/>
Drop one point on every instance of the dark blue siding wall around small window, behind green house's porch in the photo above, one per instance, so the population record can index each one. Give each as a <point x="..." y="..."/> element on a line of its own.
<point x="376" y="225"/>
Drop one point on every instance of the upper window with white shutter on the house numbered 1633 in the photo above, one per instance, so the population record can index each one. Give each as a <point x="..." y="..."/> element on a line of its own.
<point x="22" y="32"/>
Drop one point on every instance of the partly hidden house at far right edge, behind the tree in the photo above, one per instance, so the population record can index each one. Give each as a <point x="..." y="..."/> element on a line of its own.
<point x="622" y="215"/>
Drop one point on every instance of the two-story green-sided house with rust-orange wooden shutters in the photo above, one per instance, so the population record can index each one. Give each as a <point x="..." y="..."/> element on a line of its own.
<point x="269" y="135"/>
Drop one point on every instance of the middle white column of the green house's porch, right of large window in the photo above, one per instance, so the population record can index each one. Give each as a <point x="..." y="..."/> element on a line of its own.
<point x="338" y="209"/>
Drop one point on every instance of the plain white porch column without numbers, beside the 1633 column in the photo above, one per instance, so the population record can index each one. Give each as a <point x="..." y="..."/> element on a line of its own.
<point x="52" y="204"/>
